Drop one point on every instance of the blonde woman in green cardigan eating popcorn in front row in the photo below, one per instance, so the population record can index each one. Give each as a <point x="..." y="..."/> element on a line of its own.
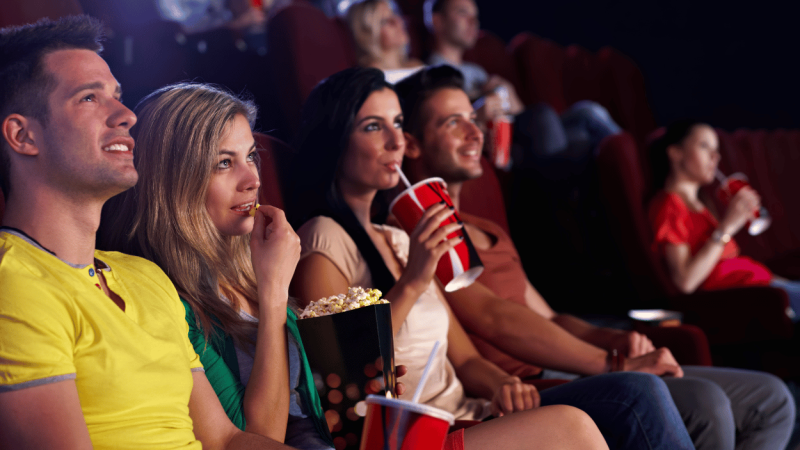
<point x="189" y="213"/>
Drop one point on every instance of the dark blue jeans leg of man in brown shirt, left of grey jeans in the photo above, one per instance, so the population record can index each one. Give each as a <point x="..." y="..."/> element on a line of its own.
<point x="632" y="410"/>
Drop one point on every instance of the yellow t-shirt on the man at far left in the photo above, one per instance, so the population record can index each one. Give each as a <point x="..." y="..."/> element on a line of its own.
<point x="132" y="368"/>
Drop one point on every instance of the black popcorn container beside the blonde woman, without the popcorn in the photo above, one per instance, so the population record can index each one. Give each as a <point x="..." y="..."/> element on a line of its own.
<point x="351" y="355"/>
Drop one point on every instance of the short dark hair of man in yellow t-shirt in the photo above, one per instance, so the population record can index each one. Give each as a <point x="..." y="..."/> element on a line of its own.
<point x="24" y="84"/>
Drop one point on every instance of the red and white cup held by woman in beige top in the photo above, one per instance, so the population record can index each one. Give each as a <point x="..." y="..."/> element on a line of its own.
<point x="460" y="266"/>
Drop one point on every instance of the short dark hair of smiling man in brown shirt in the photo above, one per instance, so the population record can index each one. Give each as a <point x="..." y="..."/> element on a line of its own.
<point x="415" y="89"/>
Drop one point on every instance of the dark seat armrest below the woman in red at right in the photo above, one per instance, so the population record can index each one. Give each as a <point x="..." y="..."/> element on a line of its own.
<point x="741" y="315"/>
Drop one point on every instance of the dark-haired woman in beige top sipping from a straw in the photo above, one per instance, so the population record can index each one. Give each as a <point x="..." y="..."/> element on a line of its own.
<point x="351" y="140"/>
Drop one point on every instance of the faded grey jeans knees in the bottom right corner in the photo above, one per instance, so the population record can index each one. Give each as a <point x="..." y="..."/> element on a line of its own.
<point x="726" y="409"/>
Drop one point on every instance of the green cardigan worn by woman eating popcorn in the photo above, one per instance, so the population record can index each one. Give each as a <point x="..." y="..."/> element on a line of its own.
<point x="221" y="365"/>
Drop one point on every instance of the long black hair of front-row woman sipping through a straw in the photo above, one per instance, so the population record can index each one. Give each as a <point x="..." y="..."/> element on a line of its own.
<point x="327" y="121"/>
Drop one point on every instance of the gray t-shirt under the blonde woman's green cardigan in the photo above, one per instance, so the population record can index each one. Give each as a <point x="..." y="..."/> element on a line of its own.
<point x="300" y="430"/>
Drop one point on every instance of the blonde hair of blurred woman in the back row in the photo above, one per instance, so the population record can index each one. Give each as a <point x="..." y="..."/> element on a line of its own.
<point x="365" y="28"/>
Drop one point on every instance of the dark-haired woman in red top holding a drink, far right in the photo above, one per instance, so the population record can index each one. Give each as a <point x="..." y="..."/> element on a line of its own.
<point x="699" y="249"/>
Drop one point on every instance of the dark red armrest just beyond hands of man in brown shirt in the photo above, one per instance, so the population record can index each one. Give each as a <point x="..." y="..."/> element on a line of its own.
<point x="687" y="343"/>
